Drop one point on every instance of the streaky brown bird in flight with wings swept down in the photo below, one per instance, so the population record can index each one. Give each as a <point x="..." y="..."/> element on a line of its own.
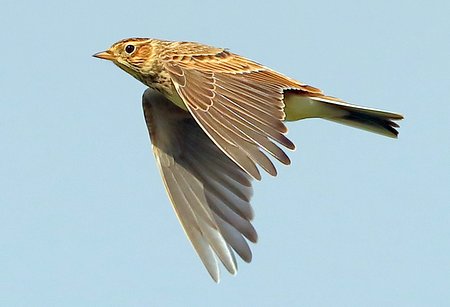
<point x="215" y="120"/>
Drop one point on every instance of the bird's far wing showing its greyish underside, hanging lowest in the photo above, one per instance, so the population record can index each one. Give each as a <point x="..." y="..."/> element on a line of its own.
<point x="209" y="192"/>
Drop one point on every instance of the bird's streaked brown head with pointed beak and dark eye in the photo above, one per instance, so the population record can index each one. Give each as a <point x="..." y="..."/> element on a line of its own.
<point x="134" y="55"/>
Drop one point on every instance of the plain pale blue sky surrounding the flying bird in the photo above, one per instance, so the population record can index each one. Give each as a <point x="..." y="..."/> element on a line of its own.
<point x="357" y="220"/>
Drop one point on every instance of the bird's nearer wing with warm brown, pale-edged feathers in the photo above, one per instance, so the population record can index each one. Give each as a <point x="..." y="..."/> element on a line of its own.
<point x="238" y="103"/>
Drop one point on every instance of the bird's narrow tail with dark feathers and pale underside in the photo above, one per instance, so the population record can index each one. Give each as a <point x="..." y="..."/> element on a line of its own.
<point x="300" y="106"/>
